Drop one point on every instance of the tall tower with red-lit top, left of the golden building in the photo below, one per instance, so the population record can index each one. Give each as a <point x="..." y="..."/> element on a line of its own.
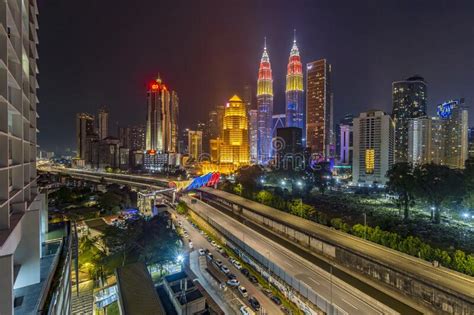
<point x="161" y="124"/>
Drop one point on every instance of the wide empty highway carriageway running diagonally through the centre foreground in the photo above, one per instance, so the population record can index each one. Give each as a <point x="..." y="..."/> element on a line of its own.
<point x="314" y="277"/>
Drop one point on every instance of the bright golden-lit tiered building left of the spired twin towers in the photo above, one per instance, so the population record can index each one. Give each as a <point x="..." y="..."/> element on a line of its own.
<point x="235" y="147"/>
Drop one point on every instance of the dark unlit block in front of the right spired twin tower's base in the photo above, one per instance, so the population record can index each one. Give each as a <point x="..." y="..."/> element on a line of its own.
<point x="289" y="151"/>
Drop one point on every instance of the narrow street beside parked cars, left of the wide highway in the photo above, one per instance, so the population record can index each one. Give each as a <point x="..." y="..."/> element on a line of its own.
<point x="200" y="242"/>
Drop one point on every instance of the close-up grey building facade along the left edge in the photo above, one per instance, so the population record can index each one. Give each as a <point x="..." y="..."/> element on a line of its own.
<point x="22" y="206"/>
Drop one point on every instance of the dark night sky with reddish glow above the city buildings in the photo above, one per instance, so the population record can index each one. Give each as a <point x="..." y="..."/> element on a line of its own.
<point x="95" y="53"/>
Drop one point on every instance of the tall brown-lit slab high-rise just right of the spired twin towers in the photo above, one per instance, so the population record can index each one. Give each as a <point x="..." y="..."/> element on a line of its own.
<point x="319" y="109"/>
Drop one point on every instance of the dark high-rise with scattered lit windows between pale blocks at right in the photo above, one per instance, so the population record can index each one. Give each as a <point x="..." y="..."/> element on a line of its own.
<point x="409" y="101"/>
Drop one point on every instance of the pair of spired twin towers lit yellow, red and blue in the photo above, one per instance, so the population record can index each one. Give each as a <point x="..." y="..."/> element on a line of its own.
<point x="294" y="109"/>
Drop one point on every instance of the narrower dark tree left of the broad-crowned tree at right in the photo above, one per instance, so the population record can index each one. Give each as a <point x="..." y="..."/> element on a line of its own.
<point x="401" y="182"/>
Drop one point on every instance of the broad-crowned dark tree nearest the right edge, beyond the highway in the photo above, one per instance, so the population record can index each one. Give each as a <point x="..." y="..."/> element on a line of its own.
<point x="437" y="184"/>
